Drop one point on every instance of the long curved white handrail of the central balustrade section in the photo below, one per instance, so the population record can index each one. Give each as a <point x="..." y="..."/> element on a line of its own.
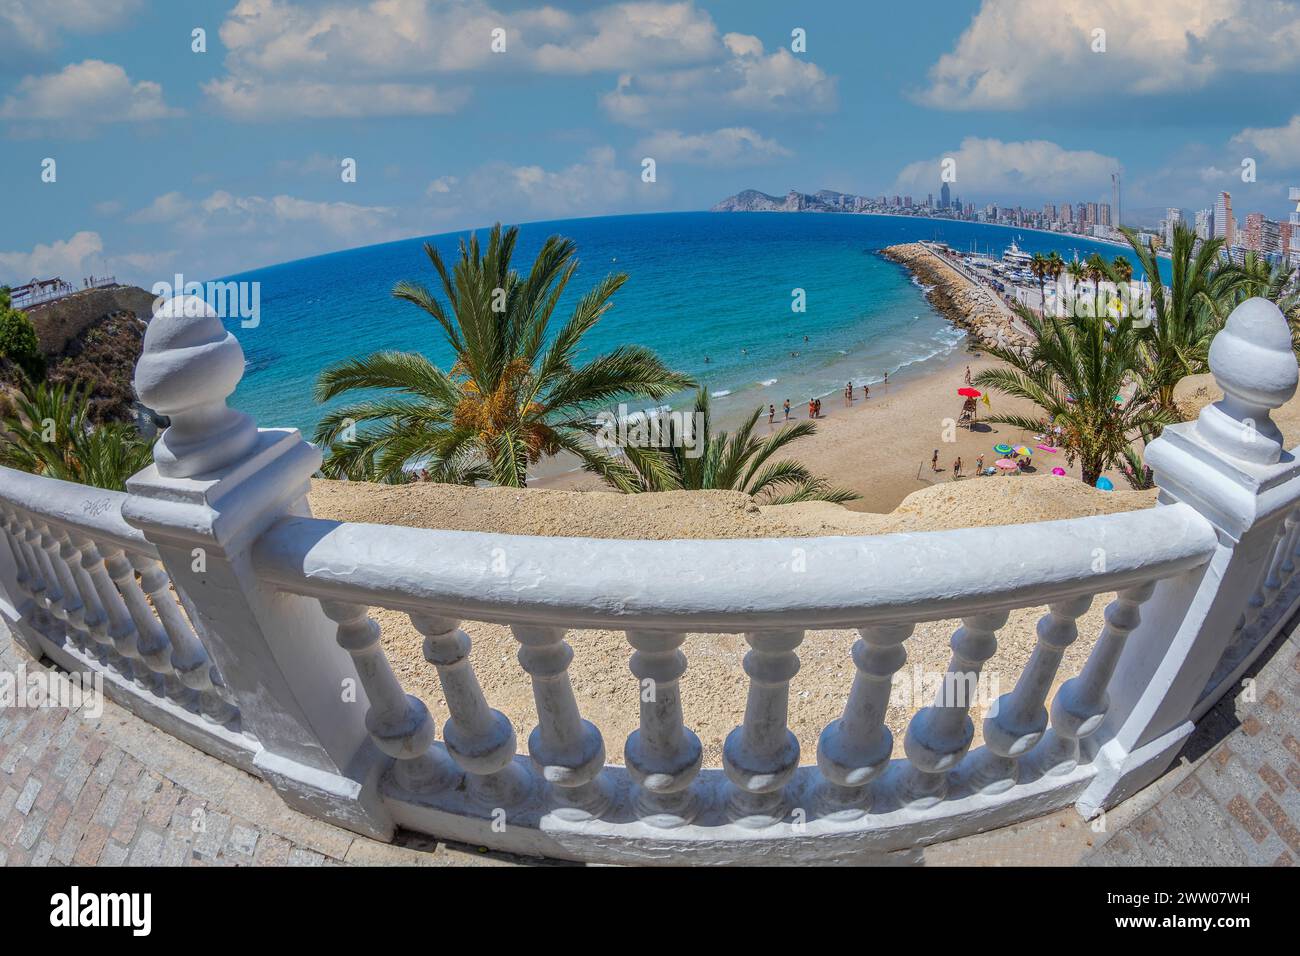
<point x="731" y="585"/>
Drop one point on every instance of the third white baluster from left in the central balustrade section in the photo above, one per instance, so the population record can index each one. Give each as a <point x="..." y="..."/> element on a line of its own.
<point x="567" y="750"/>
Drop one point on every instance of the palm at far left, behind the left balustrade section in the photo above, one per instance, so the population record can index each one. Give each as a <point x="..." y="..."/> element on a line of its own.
<point x="50" y="434"/>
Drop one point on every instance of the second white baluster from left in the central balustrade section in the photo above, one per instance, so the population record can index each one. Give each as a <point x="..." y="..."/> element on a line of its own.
<point x="480" y="739"/>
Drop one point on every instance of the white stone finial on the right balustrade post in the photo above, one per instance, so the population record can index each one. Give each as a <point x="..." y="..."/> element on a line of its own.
<point x="1254" y="364"/>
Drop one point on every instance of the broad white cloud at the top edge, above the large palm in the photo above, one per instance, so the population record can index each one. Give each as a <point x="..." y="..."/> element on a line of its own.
<point x="285" y="59"/>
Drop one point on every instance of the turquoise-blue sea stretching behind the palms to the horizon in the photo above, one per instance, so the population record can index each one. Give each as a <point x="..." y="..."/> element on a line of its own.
<point x="701" y="285"/>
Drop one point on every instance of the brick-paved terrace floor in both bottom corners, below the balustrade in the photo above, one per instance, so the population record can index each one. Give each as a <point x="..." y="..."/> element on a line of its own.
<point x="116" y="791"/>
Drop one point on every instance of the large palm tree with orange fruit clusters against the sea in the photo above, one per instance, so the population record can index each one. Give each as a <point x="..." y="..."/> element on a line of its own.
<point x="514" y="395"/>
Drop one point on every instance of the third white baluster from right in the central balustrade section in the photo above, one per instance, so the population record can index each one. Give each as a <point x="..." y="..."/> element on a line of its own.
<point x="941" y="736"/>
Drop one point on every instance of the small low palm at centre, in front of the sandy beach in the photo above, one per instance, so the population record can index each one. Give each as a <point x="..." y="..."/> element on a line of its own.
<point x="735" y="461"/>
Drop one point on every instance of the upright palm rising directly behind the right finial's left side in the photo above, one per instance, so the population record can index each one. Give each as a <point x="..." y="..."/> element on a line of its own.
<point x="1177" y="343"/>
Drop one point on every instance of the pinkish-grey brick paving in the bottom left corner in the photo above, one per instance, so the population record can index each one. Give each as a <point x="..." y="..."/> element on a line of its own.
<point x="116" y="791"/>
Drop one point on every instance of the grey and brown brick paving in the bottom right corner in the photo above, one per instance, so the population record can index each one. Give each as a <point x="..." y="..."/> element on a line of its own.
<point x="1234" y="795"/>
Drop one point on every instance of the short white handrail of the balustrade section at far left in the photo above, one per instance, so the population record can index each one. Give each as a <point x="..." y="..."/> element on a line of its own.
<point x="93" y="512"/>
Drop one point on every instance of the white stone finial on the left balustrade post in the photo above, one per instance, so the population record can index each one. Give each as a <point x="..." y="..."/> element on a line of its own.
<point x="188" y="370"/>
